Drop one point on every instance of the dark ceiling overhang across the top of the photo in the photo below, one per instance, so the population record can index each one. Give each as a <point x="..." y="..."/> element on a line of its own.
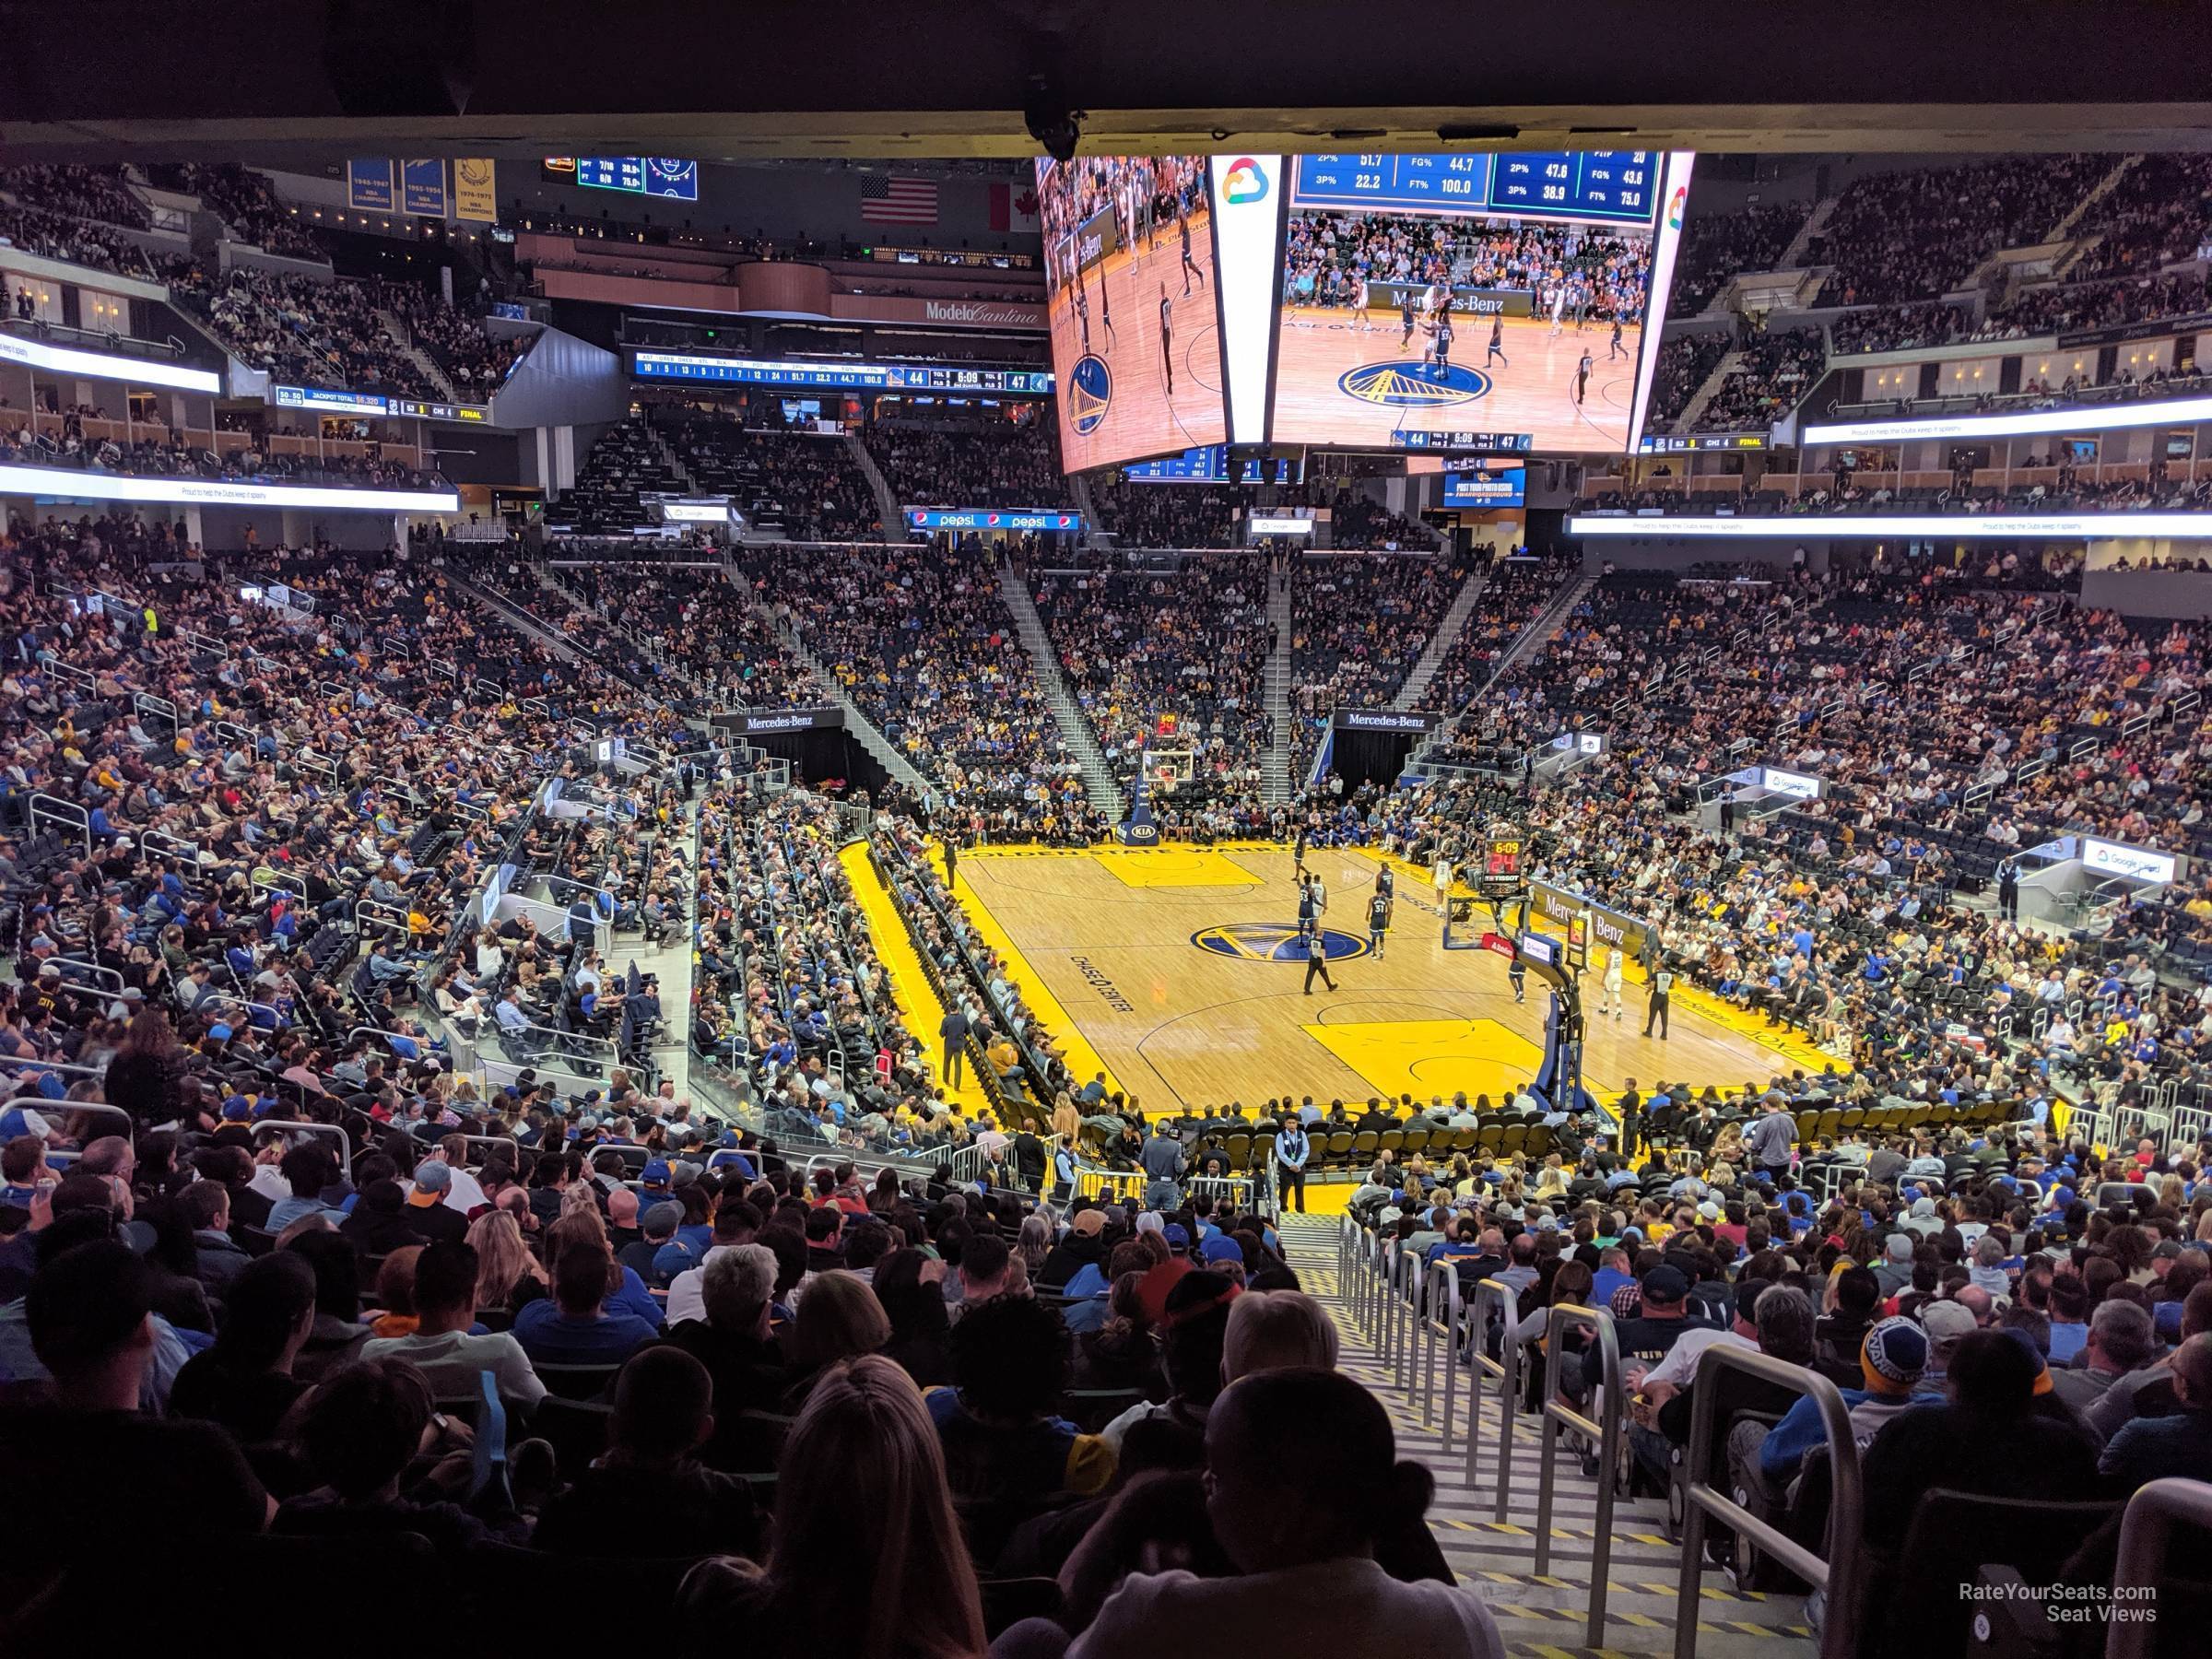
<point x="313" y="81"/>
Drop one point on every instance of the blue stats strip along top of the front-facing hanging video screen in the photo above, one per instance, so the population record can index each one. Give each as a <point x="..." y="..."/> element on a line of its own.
<point x="1603" y="187"/>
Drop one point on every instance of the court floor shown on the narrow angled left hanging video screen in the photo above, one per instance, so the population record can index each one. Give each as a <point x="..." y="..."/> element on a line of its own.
<point x="1145" y="419"/>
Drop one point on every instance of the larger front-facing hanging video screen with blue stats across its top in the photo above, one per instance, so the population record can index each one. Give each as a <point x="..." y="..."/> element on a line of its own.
<point x="1496" y="293"/>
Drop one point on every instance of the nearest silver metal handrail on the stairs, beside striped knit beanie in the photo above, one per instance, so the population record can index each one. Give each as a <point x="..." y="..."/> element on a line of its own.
<point x="1837" y="1574"/>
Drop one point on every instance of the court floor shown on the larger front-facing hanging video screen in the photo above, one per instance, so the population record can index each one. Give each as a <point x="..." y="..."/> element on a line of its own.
<point x="1532" y="393"/>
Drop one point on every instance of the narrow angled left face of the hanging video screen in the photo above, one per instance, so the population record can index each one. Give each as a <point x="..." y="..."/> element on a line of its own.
<point x="1131" y="300"/>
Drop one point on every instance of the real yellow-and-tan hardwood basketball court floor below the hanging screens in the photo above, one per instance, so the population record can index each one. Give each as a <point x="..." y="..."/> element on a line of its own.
<point x="1158" y="968"/>
